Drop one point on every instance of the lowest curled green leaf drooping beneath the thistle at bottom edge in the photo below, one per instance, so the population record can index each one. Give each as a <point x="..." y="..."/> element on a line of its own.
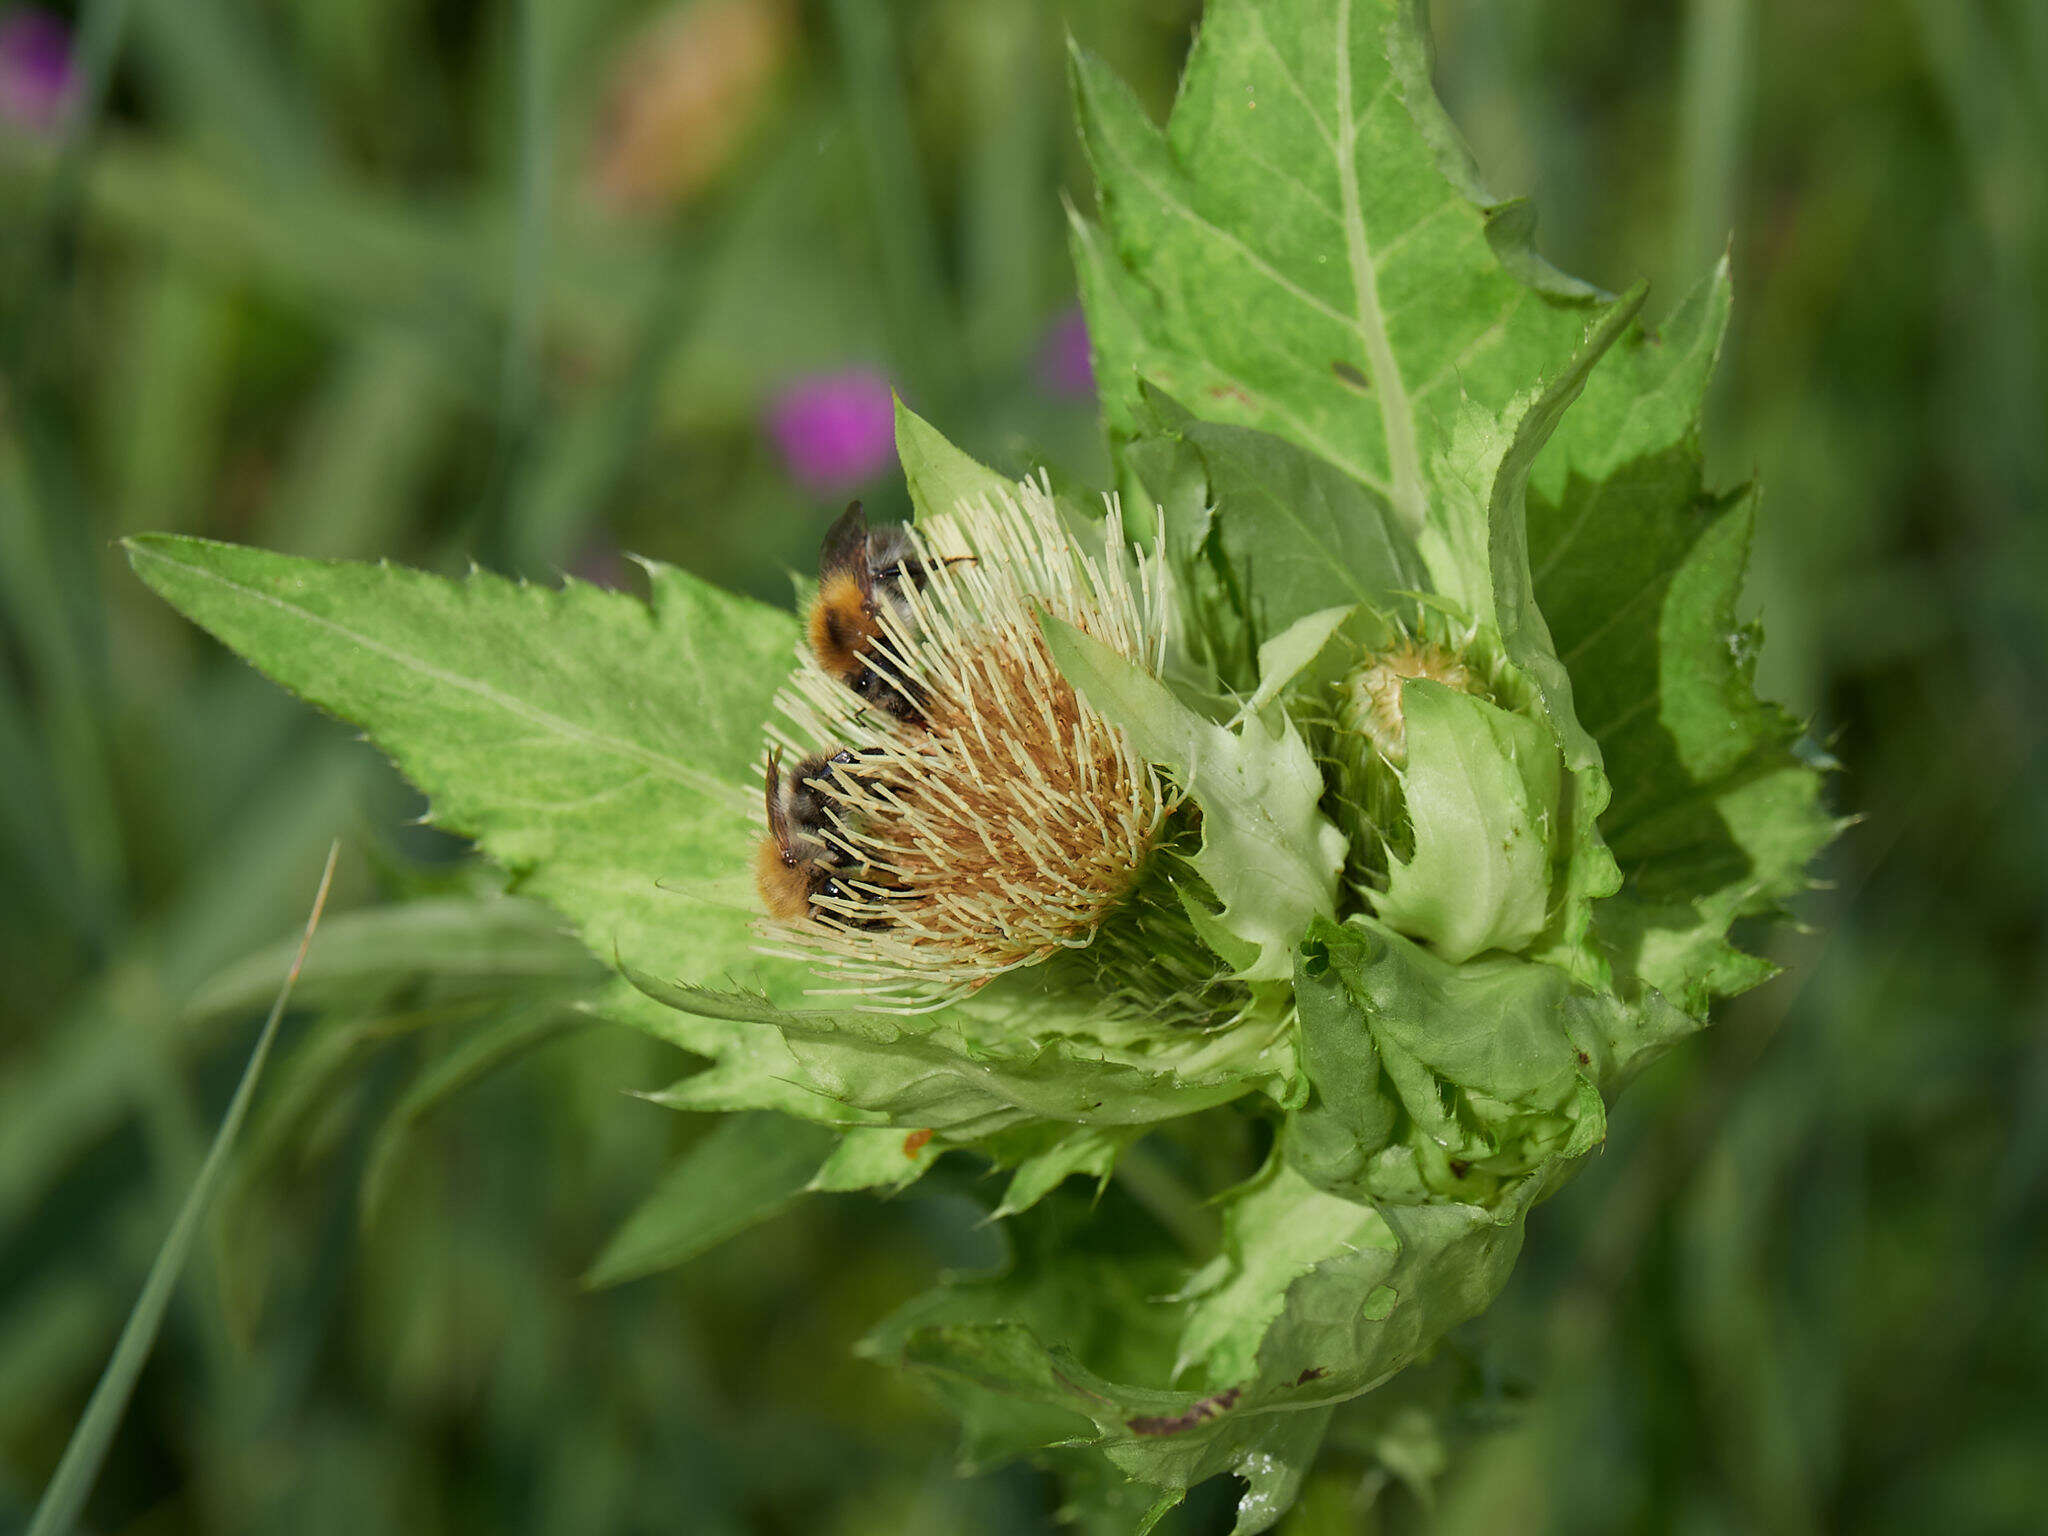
<point x="1056" y="1349"/>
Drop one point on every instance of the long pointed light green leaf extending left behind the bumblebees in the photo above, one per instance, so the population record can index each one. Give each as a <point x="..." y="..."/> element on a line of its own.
<point x="601" y="749"/>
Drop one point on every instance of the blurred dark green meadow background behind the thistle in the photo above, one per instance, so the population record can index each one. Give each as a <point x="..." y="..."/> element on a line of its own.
<point x="542" y="284"/>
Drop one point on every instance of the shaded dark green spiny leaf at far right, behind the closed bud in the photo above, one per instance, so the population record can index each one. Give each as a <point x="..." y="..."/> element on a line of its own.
<point x="1641" y="570"/>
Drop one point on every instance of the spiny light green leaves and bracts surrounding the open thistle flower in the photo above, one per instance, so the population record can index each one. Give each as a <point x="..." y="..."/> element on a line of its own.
<point x="1353" y="413"/>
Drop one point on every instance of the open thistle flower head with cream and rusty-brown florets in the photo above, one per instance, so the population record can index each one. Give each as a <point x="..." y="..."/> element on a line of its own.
<point x="1009" y="820"/>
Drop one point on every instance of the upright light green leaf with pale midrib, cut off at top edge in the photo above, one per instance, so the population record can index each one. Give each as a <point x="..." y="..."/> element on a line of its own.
<point x="1302" y="249"/>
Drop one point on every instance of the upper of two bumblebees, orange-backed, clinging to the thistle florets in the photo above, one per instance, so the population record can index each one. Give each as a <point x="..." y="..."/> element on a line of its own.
<point x="863" y="570"/>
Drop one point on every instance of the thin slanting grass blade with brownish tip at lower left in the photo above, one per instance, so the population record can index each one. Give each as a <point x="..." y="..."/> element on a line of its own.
<point x="81" y="1465"/>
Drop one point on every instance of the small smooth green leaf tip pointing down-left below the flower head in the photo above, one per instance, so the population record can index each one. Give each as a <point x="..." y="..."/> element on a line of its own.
<point x="738" y="1177"/>
